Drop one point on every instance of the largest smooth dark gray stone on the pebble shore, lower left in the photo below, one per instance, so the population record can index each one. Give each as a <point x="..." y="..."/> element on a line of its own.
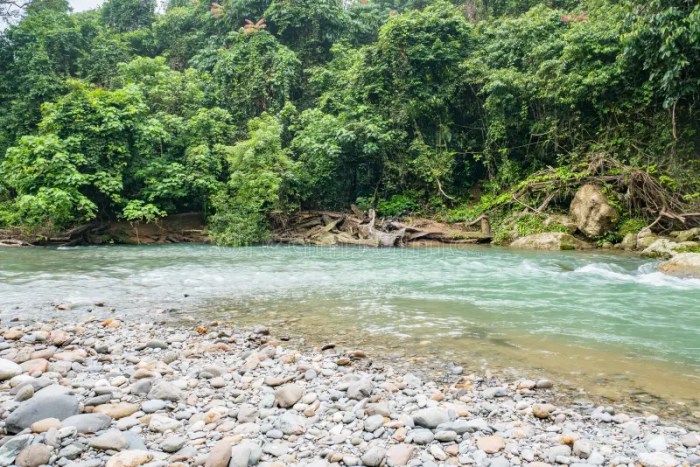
<point x="41" y="406"/>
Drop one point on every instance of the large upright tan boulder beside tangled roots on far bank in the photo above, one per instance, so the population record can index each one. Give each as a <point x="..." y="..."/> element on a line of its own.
<point x="592" y="213"/>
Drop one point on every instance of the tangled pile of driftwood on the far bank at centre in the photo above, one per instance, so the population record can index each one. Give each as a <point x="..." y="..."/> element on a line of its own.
<point x="365" y="229"/>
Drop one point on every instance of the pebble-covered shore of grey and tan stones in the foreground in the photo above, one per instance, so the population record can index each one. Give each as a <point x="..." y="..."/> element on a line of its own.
<point x="116" y="394"/>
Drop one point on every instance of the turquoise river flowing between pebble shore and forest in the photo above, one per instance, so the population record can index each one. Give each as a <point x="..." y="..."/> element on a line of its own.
<point x="609" y="324"/>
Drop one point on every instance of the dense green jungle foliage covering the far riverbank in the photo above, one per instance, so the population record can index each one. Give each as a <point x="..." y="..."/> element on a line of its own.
<point x="250" y="108"/>
